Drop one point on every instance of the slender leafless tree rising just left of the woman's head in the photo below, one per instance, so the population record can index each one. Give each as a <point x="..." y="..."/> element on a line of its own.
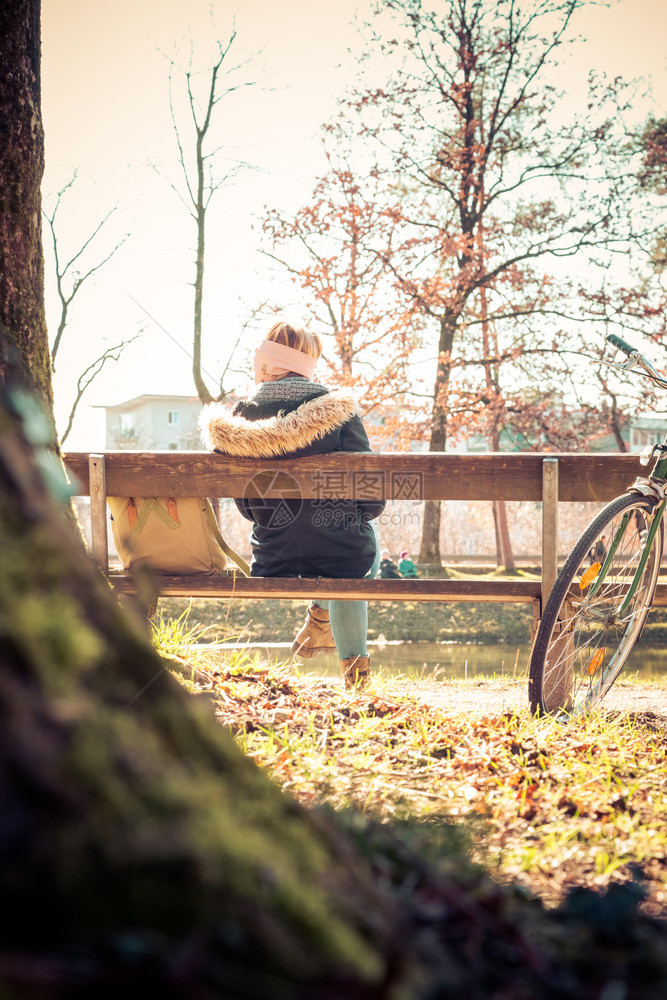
<point x="198" y="163"/>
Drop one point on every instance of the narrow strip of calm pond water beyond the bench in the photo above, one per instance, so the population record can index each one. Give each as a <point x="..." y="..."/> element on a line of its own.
<point x="433" y="659"/>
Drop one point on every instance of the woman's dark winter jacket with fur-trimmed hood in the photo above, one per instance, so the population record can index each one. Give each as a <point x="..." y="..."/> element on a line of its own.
<point x="289" y="419"/>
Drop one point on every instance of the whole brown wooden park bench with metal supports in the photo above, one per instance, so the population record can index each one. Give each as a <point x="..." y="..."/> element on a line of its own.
<point x="546" y="478"/>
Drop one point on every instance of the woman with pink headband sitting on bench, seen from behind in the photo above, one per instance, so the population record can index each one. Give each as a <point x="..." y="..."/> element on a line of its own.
<point x="290" y="416"/>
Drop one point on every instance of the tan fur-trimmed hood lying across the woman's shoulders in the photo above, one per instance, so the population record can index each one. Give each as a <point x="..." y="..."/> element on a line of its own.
<point x="283" y="434"/>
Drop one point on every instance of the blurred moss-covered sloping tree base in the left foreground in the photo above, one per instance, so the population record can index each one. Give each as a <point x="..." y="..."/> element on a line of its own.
<point x="126" y="805"/>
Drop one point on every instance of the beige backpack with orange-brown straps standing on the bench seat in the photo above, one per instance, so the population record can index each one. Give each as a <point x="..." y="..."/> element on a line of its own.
<point x="178" y="537"/>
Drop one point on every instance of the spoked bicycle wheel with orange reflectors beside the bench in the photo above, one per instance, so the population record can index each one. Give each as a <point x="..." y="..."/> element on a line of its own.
<point x="597" y="608"/>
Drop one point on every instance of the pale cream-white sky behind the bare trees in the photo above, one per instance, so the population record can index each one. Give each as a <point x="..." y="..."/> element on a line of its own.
<point x="105" y="107"/>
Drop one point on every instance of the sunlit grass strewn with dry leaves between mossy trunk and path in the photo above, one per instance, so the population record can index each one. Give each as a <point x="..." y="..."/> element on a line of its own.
<point x="546" y="805"/>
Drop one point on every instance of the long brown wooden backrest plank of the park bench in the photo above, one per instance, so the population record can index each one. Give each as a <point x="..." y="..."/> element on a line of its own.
<point x="392" y="475"/>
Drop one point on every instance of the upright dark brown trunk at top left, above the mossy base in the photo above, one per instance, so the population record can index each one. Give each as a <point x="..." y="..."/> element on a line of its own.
<point x="24" y="354"/>
